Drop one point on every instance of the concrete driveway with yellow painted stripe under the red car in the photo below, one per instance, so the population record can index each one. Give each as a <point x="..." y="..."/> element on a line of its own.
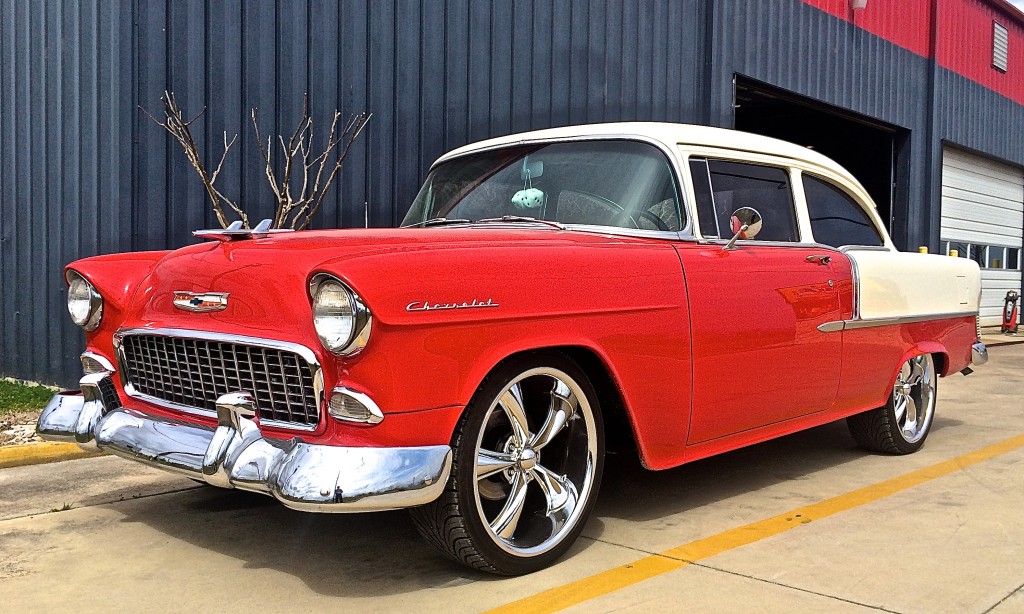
<point x="804" y="523"/>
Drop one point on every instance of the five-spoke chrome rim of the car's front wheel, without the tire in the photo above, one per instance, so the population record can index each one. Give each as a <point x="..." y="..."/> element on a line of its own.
<point x="536" y="458"/>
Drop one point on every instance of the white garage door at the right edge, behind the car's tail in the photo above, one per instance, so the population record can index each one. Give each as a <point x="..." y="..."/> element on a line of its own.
<point x="983" y="220"/>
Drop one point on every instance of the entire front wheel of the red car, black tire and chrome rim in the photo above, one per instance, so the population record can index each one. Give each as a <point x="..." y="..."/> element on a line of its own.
<point x="528" y="459"/>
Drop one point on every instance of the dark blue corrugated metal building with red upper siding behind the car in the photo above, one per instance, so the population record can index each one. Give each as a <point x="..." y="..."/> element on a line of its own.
<point x="922" y="100"/>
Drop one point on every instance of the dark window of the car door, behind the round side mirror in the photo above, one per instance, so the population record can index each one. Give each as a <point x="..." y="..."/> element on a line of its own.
<point x="721" y="188"/>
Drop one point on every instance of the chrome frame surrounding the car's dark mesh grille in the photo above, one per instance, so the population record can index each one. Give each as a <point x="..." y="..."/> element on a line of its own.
<point x="302" y="350"/>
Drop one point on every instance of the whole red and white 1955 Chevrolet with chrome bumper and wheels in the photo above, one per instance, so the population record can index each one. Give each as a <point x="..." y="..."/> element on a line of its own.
<point x="549" y="291"/>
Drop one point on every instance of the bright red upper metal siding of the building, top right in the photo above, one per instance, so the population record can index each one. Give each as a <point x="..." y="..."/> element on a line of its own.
<point x="964" y="41"/>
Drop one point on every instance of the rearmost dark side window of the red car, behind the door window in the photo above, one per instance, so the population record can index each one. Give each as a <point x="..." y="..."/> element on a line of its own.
<point x="836" y="218"/>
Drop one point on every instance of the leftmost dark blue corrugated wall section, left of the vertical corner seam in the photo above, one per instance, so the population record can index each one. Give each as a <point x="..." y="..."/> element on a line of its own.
<point x="66" y="134"/>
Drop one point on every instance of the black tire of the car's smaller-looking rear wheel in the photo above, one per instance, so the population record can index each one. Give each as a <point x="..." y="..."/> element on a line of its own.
<point x="886" y="429"/>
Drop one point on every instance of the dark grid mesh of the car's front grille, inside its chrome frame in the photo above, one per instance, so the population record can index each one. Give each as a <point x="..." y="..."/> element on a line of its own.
<point x="196" y="372"/>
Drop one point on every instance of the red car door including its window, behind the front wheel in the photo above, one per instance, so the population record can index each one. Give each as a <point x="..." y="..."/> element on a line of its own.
<point x="759" y="358"/>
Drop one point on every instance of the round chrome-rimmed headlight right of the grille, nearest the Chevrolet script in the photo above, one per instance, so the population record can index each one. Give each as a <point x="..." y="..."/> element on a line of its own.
<point x="343" y="322"/>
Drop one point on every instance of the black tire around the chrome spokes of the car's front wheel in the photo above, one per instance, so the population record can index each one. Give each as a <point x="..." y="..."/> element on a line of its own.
<point x="457" y="523"/>
